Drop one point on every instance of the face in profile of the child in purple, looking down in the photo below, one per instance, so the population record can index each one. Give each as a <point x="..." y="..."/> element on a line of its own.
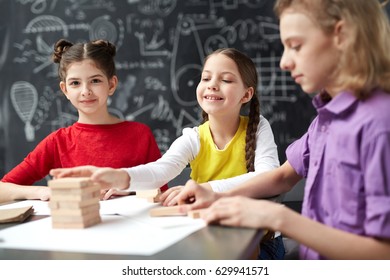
<point x="309" y="54"/>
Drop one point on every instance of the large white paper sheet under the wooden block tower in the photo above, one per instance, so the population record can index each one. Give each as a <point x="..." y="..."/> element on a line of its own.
<point x="126" y="228"/>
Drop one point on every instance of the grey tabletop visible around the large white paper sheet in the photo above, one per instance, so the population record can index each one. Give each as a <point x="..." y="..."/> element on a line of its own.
<point x="210" y="243"/>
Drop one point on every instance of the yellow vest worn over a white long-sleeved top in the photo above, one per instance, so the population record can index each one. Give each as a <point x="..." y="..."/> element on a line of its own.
<point x="214" y="164"/>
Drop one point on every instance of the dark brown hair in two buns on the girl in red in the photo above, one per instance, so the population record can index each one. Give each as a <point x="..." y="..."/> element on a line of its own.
<point x="100" y="51"/>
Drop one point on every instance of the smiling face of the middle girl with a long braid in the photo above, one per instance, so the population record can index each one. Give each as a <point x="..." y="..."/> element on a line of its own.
<point x="221" y="91"/>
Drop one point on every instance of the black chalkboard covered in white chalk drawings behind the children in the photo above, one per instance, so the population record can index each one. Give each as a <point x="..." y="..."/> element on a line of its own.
<point x="160" y="48"/>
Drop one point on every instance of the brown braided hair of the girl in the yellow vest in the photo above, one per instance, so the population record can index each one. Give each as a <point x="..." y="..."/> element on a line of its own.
<point x="248" y="73"/>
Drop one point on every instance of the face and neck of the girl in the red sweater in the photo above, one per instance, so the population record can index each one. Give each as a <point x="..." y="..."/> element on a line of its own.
<point x="88" y="88"/>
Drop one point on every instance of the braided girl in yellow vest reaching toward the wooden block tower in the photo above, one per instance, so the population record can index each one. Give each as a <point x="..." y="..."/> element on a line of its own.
<point x="224" y="151"/>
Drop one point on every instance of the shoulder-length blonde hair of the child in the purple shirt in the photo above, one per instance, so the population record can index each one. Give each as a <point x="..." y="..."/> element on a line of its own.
<point x="366" y="64"/>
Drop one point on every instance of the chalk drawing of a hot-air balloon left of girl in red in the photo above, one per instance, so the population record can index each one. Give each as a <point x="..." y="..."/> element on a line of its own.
<point x="24" y="98"/>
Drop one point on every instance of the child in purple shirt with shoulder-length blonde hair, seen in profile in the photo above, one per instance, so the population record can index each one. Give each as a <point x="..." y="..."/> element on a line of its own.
<point x="341" y="50"/>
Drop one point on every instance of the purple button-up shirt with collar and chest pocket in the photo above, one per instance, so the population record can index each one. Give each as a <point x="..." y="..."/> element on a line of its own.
<point x="345" y="157"/>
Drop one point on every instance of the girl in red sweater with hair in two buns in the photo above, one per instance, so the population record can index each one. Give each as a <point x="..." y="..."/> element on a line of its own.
<point x="87" y="78"/>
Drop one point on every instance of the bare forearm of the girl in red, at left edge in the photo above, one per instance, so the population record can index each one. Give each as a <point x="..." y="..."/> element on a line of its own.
<point x="10" y="192"/>
